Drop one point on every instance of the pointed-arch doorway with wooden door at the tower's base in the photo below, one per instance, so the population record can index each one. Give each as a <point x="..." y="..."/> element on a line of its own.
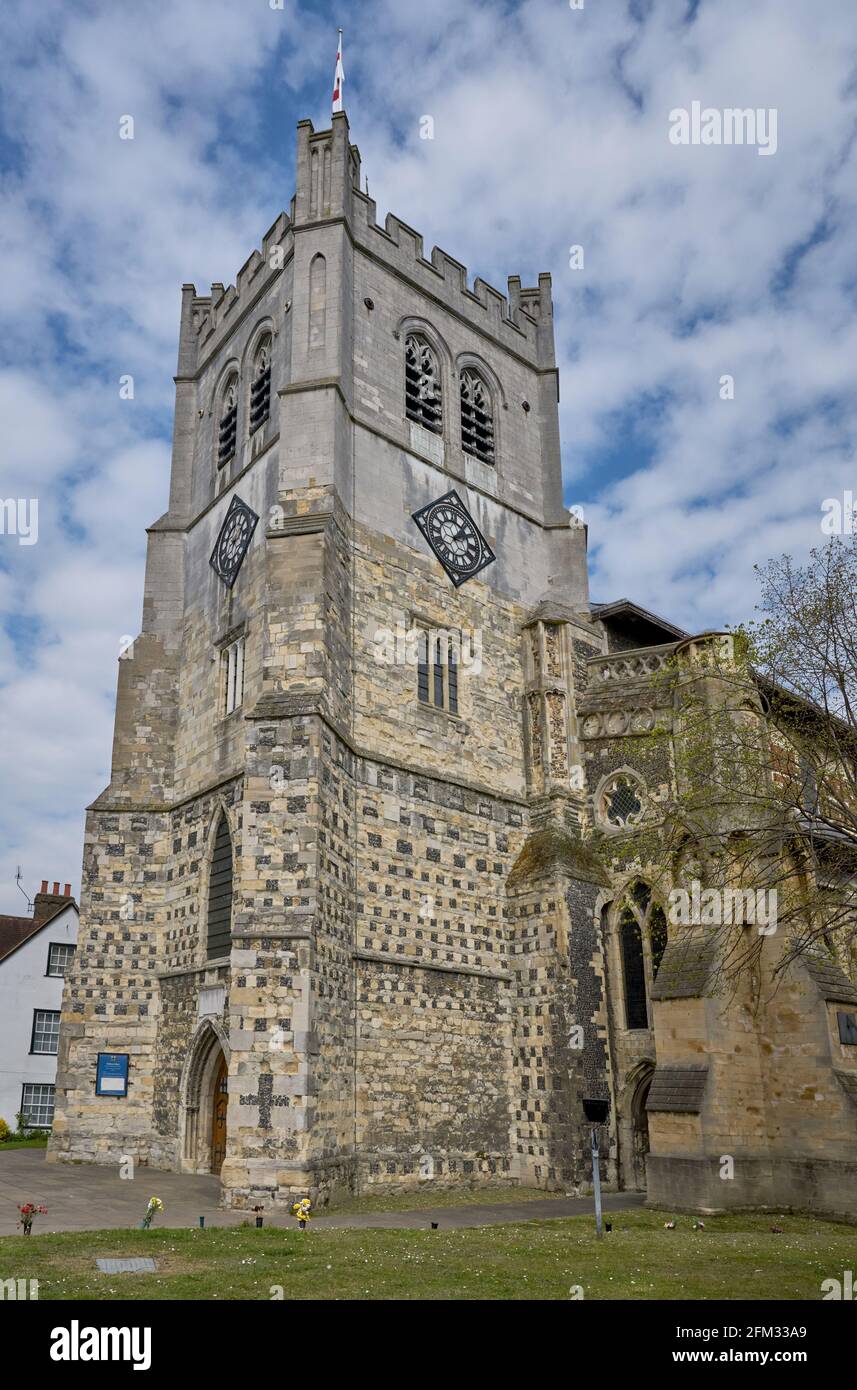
<point x="205" y="1097"/>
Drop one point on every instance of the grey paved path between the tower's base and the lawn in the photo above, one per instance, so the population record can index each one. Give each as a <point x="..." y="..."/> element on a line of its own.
<point x="94" y="1197"/>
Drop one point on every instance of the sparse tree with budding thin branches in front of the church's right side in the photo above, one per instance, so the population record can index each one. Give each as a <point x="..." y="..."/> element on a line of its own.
<point x="752" y="833"/>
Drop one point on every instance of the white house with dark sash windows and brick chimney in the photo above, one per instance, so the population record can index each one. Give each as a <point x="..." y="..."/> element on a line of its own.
<point x="34" y="957"/>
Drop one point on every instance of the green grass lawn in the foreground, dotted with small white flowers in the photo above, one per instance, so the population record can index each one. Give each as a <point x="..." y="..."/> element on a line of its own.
<point x="735" y="1257"/>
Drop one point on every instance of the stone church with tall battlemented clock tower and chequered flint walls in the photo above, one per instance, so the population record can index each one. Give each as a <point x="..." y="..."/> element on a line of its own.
<point x="341" y="926"/>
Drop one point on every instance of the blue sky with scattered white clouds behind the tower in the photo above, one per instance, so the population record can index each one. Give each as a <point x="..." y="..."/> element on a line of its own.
<point x="699" y="265"/>
